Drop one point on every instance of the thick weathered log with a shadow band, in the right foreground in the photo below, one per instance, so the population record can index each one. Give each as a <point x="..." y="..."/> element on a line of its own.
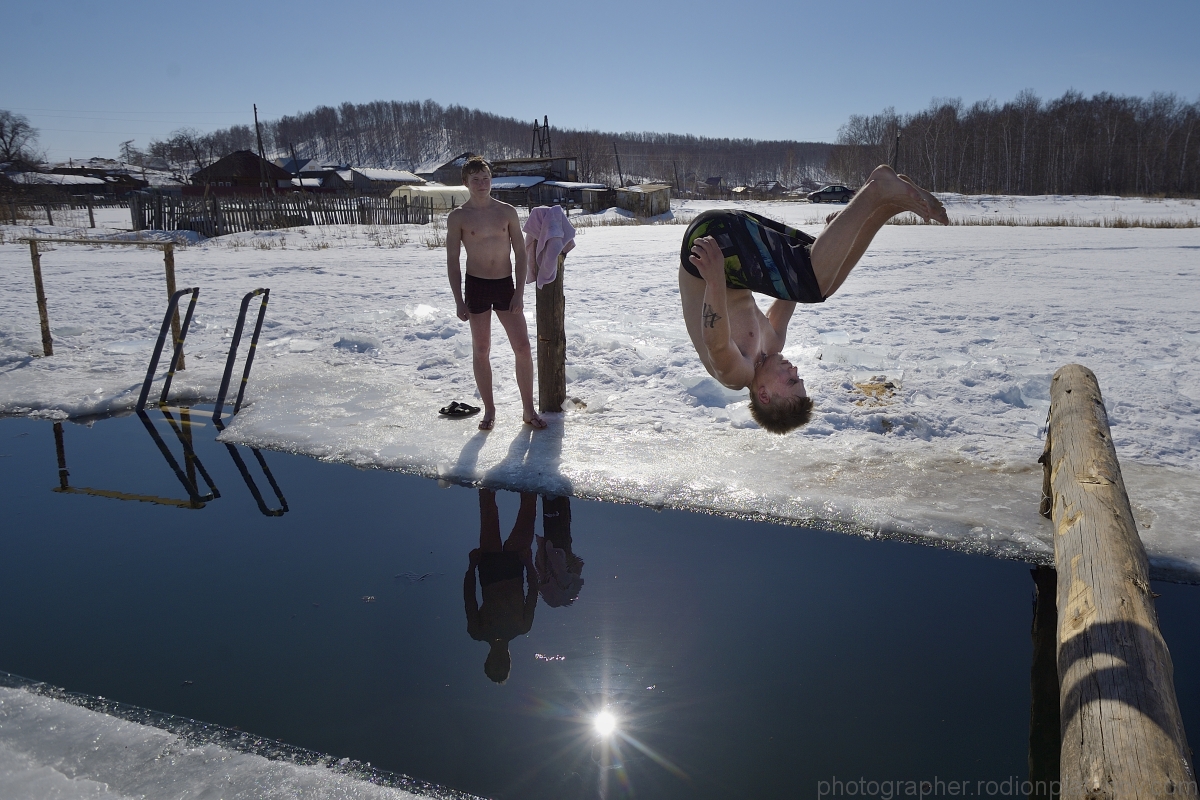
<point x="1123" y="736"/>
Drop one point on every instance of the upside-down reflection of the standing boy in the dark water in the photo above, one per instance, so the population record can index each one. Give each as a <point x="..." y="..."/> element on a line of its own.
<point x="506" y="612"/>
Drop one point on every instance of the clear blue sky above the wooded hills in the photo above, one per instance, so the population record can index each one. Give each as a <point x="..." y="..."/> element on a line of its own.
<point x="91" y="75"/>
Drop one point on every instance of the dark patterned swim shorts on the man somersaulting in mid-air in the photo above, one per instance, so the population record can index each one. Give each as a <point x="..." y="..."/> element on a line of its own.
<point x="760" y="255"/>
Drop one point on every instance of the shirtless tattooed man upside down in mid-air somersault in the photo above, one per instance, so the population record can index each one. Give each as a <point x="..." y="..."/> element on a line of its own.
<point x="730" y="255"/>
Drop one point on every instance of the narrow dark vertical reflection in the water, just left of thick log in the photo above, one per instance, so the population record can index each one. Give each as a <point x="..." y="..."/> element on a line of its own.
<point x="1045" y="726"/>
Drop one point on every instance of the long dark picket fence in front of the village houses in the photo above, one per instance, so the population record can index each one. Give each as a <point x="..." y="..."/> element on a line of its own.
<point x="215" y="216"/>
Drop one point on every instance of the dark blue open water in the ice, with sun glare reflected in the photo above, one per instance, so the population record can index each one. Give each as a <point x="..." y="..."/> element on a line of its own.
<point x="740" y="659"/>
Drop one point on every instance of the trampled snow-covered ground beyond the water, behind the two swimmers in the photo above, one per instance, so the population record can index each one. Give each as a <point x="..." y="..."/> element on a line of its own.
<point x="362" y="347"/>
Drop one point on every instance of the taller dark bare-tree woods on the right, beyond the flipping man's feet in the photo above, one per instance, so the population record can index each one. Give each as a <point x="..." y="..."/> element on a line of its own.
<point x="1107" y="145"/>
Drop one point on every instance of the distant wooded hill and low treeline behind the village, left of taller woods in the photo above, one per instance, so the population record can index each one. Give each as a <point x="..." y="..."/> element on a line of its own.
<point x="423" y="135"/>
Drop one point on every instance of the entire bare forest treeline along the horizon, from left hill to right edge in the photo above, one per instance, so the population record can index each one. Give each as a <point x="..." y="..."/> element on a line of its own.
<point x="1107" y="145"/>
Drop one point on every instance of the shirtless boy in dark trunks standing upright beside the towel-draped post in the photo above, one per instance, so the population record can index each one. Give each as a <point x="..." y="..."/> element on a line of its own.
<point x="488" y="228"/>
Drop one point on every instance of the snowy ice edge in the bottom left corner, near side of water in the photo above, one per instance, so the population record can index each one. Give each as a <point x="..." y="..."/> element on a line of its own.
<point x="51" y="748"/>
